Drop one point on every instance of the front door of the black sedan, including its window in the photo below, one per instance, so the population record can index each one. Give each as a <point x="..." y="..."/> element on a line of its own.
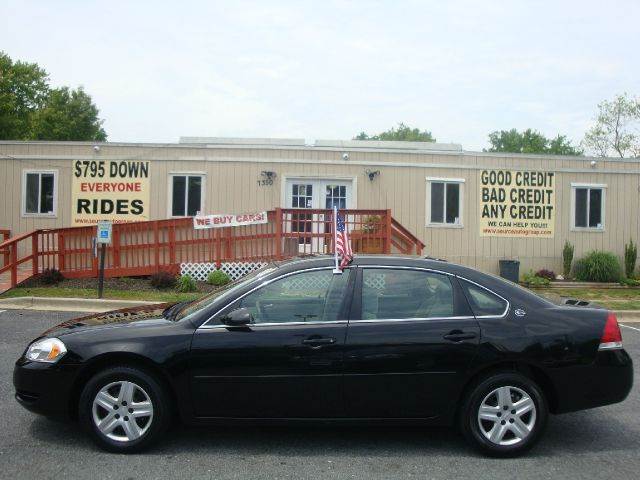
<point x="288" y="362"/>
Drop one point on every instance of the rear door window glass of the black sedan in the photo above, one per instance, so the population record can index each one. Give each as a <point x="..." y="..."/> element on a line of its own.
<point x="397" y="294"/>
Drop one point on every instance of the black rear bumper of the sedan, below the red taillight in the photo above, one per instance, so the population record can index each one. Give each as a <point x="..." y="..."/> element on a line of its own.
<point x="608" y="380"/>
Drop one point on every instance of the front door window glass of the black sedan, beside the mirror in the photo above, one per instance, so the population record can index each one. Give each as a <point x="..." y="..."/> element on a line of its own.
<point x="314" y="296"/>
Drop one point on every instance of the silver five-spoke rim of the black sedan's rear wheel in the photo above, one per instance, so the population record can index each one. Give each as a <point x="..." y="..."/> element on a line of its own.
<point x="507" y="415"/>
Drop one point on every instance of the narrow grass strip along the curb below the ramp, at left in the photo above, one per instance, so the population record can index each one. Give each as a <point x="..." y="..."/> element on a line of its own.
<point x="157" y="295"/>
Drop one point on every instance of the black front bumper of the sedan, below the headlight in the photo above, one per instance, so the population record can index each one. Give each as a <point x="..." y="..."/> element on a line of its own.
<point x="44" y="388"/>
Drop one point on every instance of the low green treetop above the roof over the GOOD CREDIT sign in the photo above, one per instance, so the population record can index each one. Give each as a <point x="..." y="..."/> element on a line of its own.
<point x="530" y="141"/>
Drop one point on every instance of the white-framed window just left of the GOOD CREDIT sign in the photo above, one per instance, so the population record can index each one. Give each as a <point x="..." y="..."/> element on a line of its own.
<point x="444" y="201"/>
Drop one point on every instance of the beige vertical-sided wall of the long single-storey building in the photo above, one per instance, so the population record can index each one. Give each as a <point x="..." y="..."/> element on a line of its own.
<point x="232" y="172"/>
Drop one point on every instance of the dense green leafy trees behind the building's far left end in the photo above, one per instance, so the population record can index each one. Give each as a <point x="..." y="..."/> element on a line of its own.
<point x="31" y="110"/>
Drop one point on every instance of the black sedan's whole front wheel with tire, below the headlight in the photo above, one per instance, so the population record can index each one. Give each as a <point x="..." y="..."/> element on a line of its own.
<point x="124" y="409"/>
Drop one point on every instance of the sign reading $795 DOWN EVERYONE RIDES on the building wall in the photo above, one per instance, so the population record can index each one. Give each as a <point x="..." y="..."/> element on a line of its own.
<point x="113" y="190"/>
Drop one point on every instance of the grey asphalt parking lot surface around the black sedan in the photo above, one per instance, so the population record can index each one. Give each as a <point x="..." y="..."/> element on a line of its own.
<point x="600" y="443"/>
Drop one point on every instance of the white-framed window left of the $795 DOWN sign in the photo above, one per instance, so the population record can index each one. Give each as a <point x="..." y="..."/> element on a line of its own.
<point x="39" y="192"/>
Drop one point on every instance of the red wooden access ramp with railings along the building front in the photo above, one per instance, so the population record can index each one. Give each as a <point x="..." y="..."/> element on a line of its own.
<point x="144" y="248"/>
